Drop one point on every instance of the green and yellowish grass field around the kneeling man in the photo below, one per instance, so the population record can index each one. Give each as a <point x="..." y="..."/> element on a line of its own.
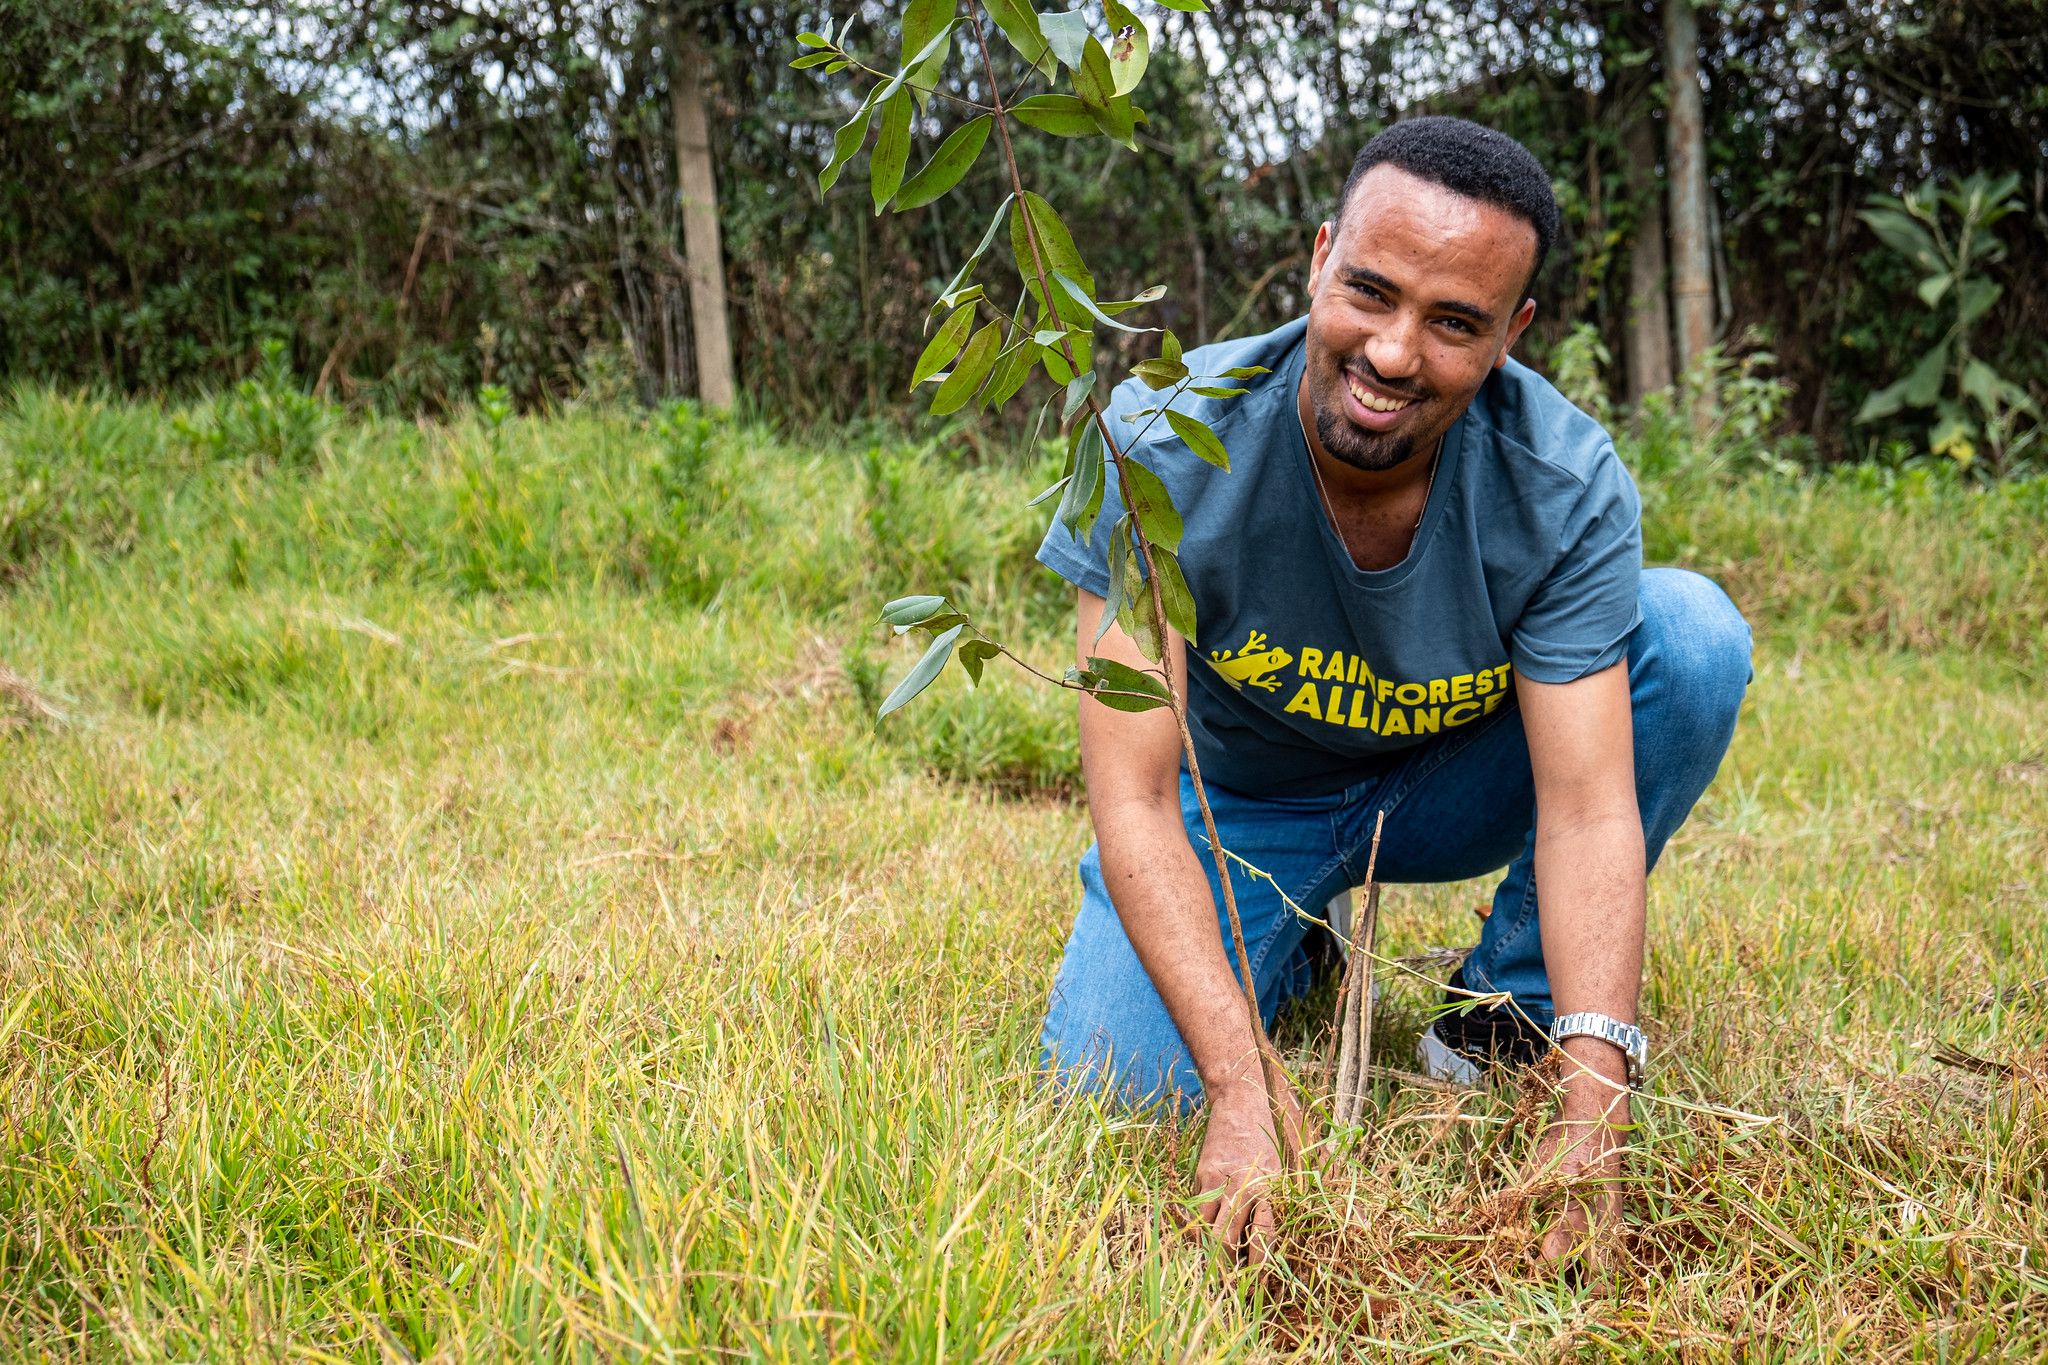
<point x="464" y="912"/>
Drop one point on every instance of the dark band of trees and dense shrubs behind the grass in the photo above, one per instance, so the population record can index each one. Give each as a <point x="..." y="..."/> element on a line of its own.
<point x="423" y="197"/>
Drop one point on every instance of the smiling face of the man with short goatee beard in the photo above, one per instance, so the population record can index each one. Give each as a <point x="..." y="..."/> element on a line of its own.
<point x="1414" y="300"/>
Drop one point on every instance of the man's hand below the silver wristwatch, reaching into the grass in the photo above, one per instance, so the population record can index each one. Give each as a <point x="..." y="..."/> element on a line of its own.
<point x="1586" y="1145"/>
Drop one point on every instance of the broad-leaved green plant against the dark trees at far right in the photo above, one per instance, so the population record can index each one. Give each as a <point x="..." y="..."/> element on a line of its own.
<point x="1949" y="238"/>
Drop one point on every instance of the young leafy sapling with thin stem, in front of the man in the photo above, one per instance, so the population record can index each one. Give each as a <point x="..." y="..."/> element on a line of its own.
<point x="986" y="349"/>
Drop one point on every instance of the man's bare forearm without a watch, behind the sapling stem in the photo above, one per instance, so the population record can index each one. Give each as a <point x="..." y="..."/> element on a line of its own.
<point x="1170" y="918"/>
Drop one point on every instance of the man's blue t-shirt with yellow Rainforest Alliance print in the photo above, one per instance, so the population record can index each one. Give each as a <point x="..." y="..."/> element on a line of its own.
<point x="1310" y="672"/>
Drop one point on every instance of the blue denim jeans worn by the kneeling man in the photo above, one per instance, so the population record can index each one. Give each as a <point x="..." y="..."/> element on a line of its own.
<point x="1457" y="807"/>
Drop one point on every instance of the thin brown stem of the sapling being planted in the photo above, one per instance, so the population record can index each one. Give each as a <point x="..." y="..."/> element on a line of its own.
<point x="1273" y="1075"/>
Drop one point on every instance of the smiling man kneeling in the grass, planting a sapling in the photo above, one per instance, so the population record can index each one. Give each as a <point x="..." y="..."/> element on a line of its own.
<point x="1418" y="592"/>
